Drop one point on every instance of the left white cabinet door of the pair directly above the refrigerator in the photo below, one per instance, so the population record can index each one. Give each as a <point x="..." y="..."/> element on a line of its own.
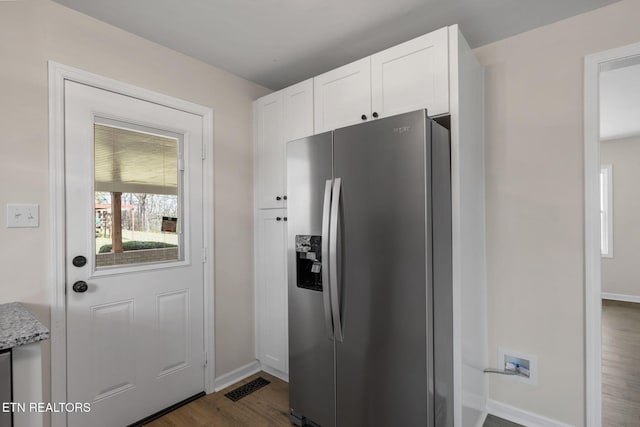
<point x="342" y="96"/>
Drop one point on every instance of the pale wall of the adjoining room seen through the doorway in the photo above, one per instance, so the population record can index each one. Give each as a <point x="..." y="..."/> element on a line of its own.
<point x="620" y="274"/>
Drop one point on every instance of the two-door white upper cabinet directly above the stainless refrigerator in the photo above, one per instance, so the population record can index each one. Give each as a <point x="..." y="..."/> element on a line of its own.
<point x="407" y="77"/>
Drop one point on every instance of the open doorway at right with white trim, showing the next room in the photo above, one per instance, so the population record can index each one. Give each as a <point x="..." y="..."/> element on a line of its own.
<point x="612" y="105"/>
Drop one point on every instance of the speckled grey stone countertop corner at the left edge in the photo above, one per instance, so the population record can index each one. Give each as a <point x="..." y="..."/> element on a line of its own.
<point x="19" y="327"/>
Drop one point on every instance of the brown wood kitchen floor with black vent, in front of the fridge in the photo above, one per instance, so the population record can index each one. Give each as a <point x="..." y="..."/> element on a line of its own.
<point x="265" y="407"/>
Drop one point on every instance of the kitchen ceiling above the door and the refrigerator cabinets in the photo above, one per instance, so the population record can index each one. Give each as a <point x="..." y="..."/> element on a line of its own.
<point x="276" y="43"/>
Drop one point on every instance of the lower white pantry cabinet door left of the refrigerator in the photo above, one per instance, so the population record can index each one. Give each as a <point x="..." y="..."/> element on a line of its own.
<point x="272" y="326"/>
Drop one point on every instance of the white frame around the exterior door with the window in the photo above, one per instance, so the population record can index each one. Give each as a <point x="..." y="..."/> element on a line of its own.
<point x="58" y="73"/>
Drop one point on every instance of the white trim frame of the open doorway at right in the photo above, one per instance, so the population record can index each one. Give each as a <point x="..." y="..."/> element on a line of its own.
<point x="593" y="279"/>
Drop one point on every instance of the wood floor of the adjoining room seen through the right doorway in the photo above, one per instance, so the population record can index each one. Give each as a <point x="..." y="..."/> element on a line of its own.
<point x="620" y="364"/>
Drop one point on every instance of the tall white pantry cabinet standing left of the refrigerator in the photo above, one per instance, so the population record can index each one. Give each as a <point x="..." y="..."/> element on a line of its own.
<point x="279" y="117"/>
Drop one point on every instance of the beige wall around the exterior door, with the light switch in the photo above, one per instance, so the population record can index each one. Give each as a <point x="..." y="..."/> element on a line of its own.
<point x="34" y="31"/>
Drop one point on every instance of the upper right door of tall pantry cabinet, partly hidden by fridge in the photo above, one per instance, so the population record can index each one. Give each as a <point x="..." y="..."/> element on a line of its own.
<point x="298" y="110"/>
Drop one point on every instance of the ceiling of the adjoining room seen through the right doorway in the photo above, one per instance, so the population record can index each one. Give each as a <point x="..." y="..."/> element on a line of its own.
<point x="620" y="99"/>
